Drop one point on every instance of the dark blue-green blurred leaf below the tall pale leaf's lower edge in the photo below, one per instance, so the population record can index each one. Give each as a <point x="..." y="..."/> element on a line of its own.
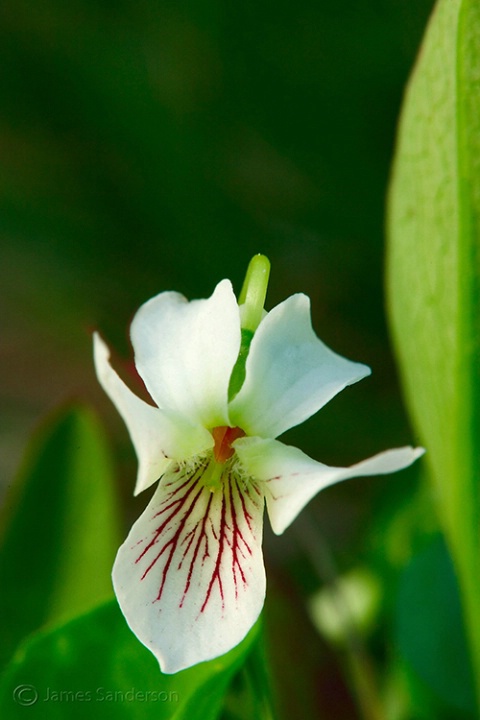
<point x="430" y="629"/>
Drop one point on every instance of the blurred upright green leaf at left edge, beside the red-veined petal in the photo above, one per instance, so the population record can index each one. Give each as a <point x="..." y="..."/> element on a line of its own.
<point x="60" y="528"/>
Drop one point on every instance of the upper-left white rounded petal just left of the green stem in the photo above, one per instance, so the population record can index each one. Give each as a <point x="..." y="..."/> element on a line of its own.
<point x="185" y="352"/>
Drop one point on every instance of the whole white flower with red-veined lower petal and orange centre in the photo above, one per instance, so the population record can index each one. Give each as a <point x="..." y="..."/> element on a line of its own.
<point x="190" y="577"/>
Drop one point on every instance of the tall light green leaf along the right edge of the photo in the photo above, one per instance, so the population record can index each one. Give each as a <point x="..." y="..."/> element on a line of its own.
<point x="433" y="273"/>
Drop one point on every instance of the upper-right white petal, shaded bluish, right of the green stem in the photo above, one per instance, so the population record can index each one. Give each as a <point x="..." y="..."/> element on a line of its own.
<point x="290" y="373"/>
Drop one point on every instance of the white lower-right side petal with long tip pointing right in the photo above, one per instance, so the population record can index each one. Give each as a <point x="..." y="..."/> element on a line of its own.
<point x="292" y="478"/>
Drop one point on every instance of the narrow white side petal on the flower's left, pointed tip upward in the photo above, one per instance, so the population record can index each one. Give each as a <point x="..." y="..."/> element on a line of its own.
<point x="158" y="437"/>
